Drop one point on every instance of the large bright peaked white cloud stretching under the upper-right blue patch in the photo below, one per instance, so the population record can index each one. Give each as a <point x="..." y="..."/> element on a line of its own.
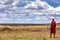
<point x="42" y="6"/>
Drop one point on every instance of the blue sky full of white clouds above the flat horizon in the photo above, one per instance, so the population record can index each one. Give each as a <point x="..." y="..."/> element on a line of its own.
<point x="29" y="11"/>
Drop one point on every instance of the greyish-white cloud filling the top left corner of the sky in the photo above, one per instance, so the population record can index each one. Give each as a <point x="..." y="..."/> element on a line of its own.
<point x="8" y="3"/>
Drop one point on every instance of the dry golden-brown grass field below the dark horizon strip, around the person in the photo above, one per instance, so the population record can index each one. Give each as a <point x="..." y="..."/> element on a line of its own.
<point x="27" y="32"/>
